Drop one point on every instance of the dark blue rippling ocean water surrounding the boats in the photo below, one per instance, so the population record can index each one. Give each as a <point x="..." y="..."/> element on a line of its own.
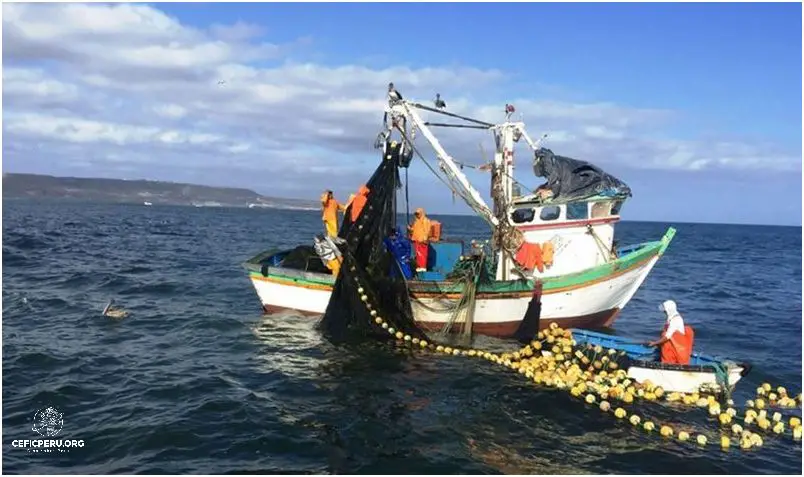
<point x="197" y="380"/>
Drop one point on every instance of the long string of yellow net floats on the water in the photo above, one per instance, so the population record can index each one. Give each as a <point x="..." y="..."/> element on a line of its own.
<point x="553" y="360"/>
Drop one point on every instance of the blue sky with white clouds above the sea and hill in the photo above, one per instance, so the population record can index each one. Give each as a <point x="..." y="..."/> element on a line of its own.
<point x="697" y="107"/>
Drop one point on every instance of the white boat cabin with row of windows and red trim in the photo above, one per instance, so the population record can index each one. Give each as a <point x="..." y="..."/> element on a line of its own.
<point x="581" y="232"/>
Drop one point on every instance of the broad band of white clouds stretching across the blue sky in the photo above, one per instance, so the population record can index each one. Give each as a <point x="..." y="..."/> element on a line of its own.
<point x="128" y="87"/>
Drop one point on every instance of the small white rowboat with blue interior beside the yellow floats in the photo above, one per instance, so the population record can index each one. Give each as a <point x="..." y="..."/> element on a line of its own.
<point x="703" y="374"/>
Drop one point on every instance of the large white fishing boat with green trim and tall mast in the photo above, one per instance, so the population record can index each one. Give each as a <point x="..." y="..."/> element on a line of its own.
<point x="585" y="284"/>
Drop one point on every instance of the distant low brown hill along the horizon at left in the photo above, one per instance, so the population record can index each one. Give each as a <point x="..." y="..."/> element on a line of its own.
<point x="140" y="191"/>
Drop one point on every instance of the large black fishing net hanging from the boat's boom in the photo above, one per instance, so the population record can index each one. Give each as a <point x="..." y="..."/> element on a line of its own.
<point x="370" y="283"/>
